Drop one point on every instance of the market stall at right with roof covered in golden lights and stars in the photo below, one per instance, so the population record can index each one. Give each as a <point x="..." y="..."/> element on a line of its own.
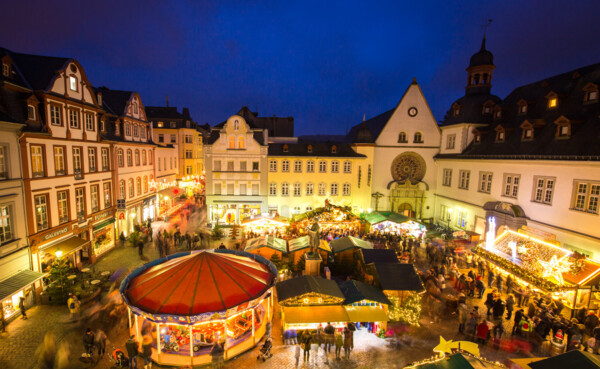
<point x="546" y="267"/>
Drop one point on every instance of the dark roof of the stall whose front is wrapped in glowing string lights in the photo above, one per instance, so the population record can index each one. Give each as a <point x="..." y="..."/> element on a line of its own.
<point x="398" y="277"/>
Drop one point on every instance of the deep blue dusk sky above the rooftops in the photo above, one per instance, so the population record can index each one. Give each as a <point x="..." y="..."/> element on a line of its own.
<point x="326" y="63"/>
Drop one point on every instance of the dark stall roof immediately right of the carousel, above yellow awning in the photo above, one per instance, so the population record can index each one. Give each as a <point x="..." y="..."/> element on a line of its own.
<point x="307" y="284"/>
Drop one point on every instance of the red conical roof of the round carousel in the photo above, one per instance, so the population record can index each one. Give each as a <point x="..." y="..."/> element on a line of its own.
<point x="198" y="283"/>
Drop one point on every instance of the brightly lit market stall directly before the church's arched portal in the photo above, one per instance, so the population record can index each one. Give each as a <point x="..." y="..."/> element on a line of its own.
<point x="394" y="223"/>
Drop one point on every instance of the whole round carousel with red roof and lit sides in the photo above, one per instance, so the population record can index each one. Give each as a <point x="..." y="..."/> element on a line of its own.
<point x="188" y="301"/>
